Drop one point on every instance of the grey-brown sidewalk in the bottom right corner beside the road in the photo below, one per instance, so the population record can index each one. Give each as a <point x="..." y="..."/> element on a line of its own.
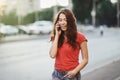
<point x="110" y="71"/>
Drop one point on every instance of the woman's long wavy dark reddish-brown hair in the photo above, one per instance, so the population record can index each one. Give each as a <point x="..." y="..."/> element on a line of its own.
<point x="71" y="32"/>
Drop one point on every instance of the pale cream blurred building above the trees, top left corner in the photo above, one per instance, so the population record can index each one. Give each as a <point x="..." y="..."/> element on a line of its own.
<point x="22" y="7"/>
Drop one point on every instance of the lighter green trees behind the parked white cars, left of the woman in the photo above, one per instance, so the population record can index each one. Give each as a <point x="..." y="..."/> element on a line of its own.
<point x="12" y="18"/>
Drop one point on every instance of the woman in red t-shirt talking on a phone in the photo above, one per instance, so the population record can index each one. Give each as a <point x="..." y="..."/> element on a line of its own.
<point x="66" y="46"/>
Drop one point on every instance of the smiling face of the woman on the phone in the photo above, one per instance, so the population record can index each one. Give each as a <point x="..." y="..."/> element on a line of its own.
<point x="63" y="22"/>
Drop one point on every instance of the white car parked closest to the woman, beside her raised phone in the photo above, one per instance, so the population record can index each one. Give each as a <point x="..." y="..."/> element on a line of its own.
<point x="40" y="27"/>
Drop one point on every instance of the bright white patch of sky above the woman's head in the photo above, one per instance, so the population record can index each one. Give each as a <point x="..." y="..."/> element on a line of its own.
<point x="49" y="3"/>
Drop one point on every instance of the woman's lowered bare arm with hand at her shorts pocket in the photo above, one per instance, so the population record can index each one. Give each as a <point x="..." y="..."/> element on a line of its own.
<point x="84" y="52"/>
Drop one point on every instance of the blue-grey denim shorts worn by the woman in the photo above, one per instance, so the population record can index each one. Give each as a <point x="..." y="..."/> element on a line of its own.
<point x="59" y="75"/>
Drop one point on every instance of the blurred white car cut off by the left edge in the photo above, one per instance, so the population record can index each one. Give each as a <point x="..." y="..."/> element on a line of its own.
<point x="8" y="30"/>
